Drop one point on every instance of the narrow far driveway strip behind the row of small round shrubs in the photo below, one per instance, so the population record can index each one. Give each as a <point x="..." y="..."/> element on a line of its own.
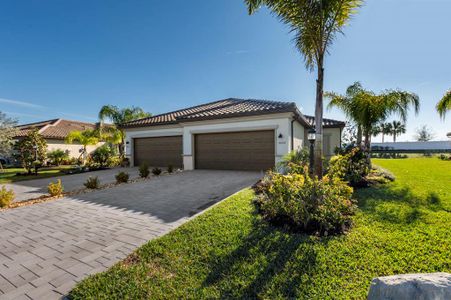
<point x="34" y="188"/>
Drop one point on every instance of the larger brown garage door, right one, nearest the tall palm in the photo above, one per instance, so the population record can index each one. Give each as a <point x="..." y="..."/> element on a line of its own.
<point x="252" y="150"/>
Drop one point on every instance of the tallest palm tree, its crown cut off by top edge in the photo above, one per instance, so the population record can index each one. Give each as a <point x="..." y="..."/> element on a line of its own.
<point x="315" y="25"/>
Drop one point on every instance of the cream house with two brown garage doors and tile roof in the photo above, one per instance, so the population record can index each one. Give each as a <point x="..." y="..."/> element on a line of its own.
<point x="230" y="134"/>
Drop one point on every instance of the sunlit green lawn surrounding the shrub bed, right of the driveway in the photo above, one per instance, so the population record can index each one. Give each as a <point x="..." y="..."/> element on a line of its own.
<point x="229" y="252"/>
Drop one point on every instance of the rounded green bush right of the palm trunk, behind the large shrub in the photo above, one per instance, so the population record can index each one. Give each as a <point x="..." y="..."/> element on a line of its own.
<point x="351" y="166"/>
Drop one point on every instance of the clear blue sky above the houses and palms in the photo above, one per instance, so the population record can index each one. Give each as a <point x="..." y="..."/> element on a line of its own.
<point x="68" y="58"/>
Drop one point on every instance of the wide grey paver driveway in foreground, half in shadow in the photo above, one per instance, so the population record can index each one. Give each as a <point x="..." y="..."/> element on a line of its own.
<point x="47" y="248"/>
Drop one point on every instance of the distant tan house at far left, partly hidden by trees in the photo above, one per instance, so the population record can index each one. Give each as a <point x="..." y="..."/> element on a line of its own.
<point x="55" y="131"/>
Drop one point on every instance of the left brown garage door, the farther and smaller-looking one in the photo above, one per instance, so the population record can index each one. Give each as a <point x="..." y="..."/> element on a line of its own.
<point x="159" y="151"/>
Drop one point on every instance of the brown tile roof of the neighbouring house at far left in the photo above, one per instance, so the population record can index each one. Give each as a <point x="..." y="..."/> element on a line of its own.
<point x="54" y="129"/>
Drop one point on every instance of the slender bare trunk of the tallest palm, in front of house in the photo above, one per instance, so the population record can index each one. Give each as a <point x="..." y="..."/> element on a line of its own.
<point x="318" y="155"/>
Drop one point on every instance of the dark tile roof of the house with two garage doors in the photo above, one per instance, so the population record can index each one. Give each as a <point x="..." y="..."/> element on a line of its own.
<point x="228" y="108"/>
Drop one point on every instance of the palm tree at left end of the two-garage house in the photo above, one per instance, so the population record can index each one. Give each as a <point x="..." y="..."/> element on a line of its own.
<point x="114" y="134"/>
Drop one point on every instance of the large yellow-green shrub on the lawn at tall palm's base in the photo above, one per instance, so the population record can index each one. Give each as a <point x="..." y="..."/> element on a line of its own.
<point x="309" y="205"/>
